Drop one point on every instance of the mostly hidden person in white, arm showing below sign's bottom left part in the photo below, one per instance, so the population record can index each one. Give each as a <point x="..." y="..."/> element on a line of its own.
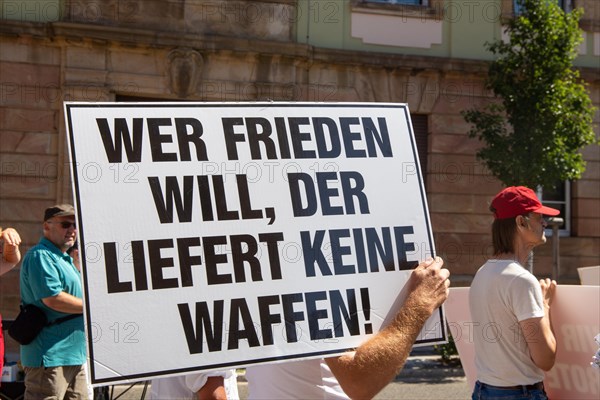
<point x="216" y="385"/>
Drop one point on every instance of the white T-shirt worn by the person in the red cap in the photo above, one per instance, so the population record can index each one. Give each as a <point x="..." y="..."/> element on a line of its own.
<point x="502" y="294"/>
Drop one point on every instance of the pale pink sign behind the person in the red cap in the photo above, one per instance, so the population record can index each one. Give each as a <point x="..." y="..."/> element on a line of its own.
<point x="575" y="319"/>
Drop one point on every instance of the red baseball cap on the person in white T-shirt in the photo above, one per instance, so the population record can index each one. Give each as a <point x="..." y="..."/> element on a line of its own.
<point x="519" y="200"/>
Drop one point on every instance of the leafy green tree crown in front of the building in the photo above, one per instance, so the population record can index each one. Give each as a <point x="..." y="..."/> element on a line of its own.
<point x="543" y="117"/>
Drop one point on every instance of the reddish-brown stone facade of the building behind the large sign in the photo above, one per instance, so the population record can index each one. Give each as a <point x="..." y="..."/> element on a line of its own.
<point x="247" y="51"/>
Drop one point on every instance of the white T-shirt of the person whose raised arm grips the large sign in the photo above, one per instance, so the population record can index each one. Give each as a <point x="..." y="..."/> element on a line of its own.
<point x="306" y="380"/>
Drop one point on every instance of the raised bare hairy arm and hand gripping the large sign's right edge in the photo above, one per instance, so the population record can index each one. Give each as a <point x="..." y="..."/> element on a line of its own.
<point x="364" y="372"/>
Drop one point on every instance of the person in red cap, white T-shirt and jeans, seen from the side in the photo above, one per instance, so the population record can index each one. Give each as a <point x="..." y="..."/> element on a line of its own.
<point x="513" y="337"/>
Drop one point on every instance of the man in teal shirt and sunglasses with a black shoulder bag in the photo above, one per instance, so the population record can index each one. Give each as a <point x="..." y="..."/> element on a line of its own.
<point x="54" y="361"/>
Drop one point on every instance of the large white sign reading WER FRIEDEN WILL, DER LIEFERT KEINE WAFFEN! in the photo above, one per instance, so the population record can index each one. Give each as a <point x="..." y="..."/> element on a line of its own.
<point x="227" y="234"/>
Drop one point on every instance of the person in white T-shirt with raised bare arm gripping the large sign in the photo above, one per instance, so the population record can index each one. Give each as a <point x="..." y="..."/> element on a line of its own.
<point x="362" y="373"/>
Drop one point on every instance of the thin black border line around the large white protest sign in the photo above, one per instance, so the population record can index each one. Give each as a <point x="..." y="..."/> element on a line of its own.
<point x="73" y="105"/>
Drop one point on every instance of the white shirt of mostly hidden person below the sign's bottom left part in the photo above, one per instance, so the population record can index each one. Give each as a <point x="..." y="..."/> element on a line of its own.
<point x="185" y="387"/>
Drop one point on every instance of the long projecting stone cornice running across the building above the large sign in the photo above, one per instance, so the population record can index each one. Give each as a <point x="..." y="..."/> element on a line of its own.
<point x="146" y="38"/>
